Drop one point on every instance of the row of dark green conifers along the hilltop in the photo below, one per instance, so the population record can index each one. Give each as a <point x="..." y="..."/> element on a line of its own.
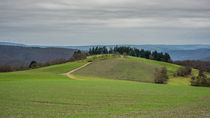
<point x="159" y="56"/>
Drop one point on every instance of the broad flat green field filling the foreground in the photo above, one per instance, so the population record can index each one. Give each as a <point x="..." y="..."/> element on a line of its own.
<point x="100" y="98"/>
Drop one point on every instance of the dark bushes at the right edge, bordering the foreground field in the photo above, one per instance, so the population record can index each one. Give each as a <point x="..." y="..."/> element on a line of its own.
<point x="200" y="80"/>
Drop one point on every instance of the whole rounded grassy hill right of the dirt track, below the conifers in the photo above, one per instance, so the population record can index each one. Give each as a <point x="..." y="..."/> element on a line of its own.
<point x="125" y="68"/>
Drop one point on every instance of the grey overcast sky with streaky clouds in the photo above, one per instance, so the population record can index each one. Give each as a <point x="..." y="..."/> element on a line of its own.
<point x="97" y="22"/>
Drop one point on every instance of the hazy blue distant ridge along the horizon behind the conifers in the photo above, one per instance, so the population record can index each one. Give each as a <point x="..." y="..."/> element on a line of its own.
<point x="177" y="52"/>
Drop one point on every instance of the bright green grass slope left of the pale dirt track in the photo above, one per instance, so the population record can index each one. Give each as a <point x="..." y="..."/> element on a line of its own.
<point x="51" y="72"/>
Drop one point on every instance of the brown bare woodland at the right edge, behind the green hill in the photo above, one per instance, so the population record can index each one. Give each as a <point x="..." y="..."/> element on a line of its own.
<point x="201" y="65"/>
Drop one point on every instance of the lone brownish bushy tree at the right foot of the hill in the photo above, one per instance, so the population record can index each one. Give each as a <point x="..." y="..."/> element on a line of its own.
<point x="161" y="76"/>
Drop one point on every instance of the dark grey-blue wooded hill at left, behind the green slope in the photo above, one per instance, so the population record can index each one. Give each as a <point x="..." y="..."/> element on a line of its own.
<point x="16" y="55"/>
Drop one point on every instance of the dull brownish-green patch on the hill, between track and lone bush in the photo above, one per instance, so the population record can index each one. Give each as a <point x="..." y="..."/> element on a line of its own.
<point x="120" y="68"/>
